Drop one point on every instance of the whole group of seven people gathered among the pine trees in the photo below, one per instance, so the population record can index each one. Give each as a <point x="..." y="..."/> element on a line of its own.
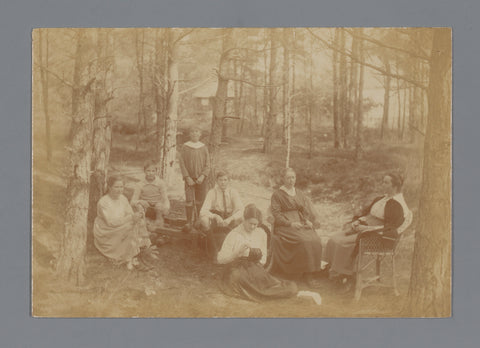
<point x="236" y="235"/>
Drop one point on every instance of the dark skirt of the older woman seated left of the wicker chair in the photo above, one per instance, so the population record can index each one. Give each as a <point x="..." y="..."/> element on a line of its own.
<point x="296" y="251"/>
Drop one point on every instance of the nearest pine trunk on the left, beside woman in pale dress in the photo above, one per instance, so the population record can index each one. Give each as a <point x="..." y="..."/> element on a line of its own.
<point x="71" y="263"/>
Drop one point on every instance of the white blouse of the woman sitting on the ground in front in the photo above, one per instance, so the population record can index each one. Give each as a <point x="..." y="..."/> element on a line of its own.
<point x="239" y="237"/>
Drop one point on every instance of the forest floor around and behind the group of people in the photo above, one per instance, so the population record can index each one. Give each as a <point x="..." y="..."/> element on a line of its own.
<point x="184" y="283"/>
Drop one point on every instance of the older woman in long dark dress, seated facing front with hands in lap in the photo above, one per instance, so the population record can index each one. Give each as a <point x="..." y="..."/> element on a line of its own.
<point x="296" y="248"/>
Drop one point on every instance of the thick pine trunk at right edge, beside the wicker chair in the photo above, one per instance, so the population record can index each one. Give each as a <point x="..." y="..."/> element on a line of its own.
<point x="430" y="285"/>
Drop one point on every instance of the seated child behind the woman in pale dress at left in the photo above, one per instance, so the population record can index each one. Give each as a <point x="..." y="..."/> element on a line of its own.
<point x="151" y="192"/>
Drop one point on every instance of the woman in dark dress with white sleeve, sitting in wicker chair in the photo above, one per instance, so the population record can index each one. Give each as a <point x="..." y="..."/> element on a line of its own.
<point x="382" y="217"/>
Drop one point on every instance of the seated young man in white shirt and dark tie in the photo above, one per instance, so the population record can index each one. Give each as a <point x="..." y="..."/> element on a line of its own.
<point x="220" y="213"/>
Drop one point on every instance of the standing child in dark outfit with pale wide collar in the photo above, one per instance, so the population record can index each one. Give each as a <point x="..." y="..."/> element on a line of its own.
<point x="195" y="167"/>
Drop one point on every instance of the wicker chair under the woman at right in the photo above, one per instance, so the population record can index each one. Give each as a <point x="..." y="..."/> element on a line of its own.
<point x="372" y="250"/>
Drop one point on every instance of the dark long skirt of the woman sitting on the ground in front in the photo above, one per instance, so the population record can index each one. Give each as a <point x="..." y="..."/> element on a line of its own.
<point x="249" y="280"/>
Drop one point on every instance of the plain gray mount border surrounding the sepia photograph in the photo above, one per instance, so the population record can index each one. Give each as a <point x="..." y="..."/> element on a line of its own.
<point x="19" y="329"/>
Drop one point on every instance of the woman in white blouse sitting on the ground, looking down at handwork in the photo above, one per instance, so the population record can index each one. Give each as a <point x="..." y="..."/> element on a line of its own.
<point x="245" y="252"/>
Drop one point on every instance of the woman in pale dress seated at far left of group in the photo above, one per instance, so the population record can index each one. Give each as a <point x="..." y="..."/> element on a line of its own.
<point x="118" y="232"/>
